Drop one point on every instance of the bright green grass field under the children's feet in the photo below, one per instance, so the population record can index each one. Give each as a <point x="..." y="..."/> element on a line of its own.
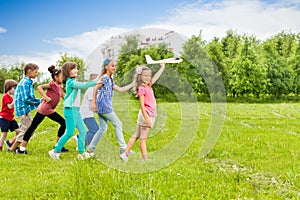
<point x="256" y="157"/>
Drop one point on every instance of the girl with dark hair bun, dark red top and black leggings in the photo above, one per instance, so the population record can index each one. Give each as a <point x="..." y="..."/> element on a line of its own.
<point x="46" y="108"/>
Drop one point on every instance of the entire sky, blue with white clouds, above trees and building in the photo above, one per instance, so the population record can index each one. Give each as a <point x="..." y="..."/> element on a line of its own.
<point x="37" y="30"/>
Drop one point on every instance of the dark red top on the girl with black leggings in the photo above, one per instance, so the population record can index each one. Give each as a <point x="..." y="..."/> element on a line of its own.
<point x="54" y="92"/>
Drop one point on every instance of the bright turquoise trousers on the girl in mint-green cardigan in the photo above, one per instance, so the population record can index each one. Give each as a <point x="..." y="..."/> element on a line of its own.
<point x="73" y="120"/>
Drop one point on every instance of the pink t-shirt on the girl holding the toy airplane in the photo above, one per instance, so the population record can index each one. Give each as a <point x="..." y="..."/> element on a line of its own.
<point x="149" y="102"/>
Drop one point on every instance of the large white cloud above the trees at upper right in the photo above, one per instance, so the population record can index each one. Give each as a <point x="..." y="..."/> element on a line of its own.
<point x="251" y="17"/>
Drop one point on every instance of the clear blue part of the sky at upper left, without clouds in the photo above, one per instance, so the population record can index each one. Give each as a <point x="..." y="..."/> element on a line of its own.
<point x="30" y="22"/>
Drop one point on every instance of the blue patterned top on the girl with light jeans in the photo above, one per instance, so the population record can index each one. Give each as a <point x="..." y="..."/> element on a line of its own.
<point x="104" y="96"/>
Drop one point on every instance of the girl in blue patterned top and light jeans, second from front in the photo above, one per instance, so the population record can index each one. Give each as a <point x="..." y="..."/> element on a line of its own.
<point x="103" y="105"/>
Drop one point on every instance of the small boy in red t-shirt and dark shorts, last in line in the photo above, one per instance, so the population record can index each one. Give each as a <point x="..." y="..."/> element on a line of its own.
<point x="7" y="121"/>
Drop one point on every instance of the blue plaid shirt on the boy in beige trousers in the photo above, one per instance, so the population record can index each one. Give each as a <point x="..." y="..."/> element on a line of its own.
<point x="25" y="100"/>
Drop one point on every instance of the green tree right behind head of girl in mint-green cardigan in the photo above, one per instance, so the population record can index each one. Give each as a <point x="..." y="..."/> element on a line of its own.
<point x="79" y="61"/>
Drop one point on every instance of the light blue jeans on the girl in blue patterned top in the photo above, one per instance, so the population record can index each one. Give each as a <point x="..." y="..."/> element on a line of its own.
<point x="104" y="118"/>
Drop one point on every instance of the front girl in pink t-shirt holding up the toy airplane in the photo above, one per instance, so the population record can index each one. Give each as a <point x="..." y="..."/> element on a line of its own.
<point x="147" y="112"/>
